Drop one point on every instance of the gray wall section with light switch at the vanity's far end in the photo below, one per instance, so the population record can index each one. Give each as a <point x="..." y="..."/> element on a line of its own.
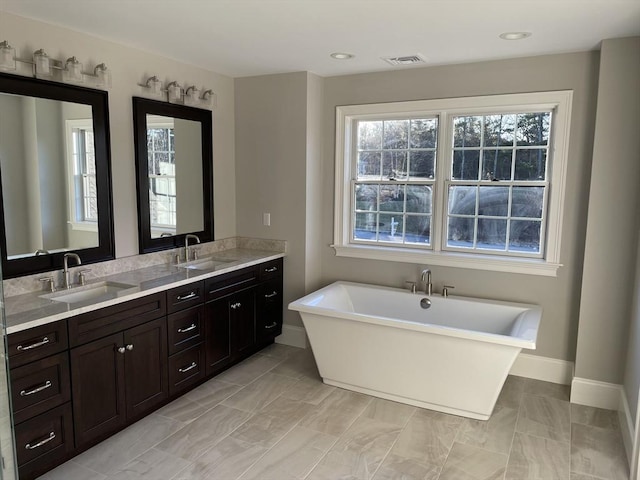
<point x="271" y="150"/>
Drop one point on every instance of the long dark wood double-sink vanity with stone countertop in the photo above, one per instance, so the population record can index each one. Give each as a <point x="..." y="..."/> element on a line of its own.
<point x="81" y="372"/>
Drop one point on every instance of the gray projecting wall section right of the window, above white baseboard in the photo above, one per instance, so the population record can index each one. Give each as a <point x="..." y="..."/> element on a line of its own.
<point x="611" y="237"/>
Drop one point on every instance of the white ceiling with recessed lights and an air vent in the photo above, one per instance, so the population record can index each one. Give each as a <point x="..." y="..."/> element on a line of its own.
<point x="252" y="37"/>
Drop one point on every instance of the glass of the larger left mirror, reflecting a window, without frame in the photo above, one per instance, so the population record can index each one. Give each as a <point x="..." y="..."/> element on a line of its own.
<point x="47" y="159"/>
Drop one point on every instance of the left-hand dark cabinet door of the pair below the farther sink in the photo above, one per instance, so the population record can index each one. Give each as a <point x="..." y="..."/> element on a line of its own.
<point x="217" y="335"/>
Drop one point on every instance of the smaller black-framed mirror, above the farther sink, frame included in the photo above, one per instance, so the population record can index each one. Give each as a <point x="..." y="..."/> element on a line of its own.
<point x="174" y="173"/>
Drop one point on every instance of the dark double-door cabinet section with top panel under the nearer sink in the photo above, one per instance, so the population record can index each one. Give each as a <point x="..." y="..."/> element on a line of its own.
<point x="121" y="376"/>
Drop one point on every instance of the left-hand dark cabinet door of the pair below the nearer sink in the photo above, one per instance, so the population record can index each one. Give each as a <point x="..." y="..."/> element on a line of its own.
<point x="98" y="388"/>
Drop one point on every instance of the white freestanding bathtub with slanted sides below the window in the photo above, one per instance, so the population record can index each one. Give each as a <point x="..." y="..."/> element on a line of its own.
<point x="453" y="357"/>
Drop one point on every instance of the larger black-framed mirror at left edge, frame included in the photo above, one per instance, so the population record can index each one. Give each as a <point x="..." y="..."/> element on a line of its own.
<point x="55" y="170"/>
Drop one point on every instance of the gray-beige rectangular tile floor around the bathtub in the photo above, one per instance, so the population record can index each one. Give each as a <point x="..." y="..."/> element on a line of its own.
<point x="271" y="418"/>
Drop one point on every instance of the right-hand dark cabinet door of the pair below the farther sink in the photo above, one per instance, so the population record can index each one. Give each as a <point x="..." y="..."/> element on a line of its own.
<point x="242" y="307"/>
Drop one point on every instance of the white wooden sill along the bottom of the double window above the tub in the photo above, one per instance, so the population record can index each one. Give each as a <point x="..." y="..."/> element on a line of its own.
<point x="524" y="266"/>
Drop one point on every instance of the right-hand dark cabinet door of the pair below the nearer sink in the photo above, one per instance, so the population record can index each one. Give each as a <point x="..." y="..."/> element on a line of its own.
<point x="145" y="361"/>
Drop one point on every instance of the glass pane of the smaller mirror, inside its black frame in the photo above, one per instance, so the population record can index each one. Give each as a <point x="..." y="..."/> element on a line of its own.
<point x="175" y="165"/>
